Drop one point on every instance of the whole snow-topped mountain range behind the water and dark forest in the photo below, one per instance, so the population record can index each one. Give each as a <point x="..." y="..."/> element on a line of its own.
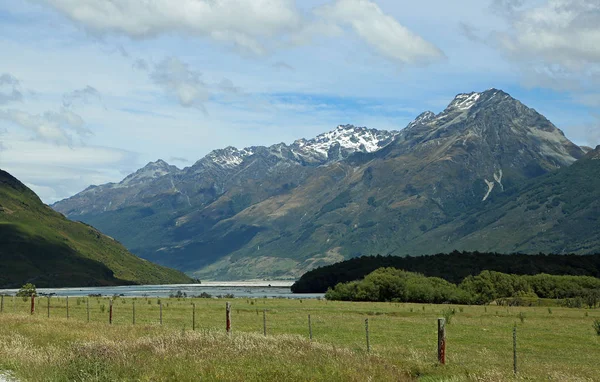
<point x="487" y="173"/>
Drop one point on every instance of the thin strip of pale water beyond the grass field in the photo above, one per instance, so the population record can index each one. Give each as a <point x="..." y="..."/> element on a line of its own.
<point x="246" y="289"/>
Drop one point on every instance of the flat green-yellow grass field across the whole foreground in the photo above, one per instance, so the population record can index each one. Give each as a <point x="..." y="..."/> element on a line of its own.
<point x="557" y="344"/>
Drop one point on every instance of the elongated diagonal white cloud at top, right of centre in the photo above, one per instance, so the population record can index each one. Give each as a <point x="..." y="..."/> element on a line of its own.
<point x="388" y="37"/>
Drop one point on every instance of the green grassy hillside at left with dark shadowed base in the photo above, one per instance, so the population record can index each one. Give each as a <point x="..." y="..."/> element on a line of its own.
<point x="40" y="246"/>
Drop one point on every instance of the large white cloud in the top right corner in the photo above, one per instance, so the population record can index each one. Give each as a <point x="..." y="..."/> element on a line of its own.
<point x="559" y="39"/>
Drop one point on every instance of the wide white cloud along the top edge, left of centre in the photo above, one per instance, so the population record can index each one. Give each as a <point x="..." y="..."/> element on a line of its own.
<point x="241" y="22"/>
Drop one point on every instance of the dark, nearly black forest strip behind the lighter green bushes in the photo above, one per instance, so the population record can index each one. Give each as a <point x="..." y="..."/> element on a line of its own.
<point x="453" y="267"/>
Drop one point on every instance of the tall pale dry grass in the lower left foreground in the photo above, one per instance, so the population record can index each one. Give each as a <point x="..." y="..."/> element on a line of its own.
<point x="60" y="350"/>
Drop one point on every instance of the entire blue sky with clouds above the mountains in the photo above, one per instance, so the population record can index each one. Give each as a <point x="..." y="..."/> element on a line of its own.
<point x="92" y="90"/>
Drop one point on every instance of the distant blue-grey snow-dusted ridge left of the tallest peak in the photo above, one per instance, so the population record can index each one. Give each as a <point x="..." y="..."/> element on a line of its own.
<point x="214" y="173"/>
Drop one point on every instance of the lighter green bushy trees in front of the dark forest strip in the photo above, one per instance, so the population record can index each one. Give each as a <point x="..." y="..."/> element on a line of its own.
<point x="396" y="285"/>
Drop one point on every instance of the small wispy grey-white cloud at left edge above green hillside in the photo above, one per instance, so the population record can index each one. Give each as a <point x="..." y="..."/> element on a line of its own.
<point x="61" y="128"/>
